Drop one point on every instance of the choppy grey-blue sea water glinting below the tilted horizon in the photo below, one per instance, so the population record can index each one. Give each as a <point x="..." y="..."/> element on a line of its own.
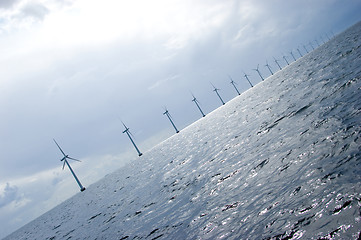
<point x="281" y="161"/>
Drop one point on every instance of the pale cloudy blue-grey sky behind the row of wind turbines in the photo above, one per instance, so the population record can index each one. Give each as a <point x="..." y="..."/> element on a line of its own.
<point x="73" y="70"/>
